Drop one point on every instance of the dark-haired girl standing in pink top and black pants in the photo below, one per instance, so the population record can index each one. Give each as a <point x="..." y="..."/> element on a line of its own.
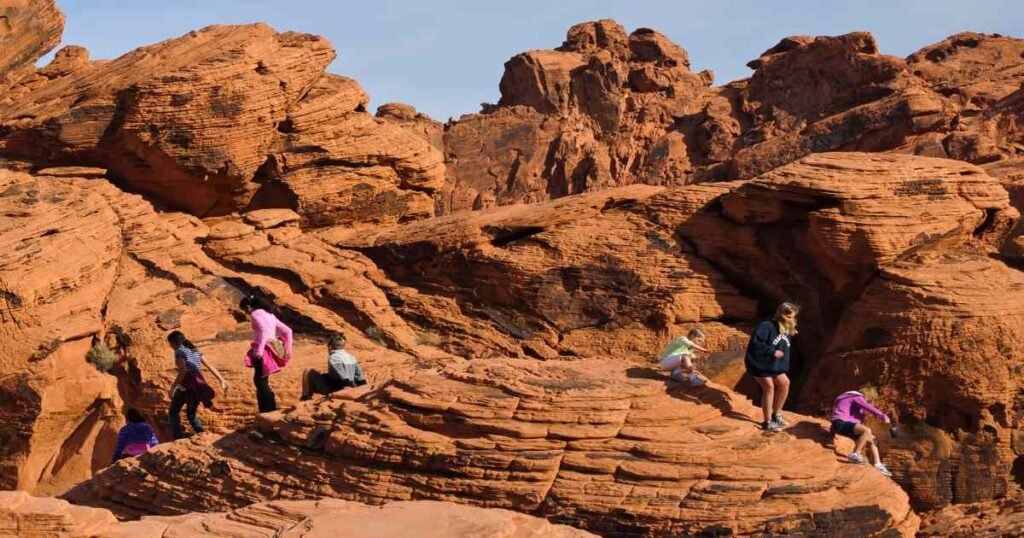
<point x="262" y="357"/>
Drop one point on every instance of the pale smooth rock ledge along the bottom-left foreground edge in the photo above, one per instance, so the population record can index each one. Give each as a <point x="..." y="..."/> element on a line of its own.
<point x="30" y="517"/>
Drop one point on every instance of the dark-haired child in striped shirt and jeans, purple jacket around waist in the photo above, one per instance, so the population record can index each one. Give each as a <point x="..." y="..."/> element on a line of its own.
<point x="190" y="389"/>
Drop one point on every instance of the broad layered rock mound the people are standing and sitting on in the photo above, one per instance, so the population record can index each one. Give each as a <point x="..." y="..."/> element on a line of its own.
<point x="591" y="443"/>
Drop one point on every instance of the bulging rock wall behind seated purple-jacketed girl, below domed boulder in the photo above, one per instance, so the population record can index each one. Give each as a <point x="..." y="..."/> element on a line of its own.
<point x="937" y="332"/>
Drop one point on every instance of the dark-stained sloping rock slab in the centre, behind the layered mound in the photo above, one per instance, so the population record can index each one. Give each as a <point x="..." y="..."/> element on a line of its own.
<point x="580" y="277"/>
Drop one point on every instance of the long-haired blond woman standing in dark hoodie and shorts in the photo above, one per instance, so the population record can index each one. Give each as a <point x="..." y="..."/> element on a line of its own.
<point x="767" y="362"/>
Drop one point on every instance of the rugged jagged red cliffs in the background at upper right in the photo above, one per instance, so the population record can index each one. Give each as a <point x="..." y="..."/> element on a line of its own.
<point x="607" y="109"/>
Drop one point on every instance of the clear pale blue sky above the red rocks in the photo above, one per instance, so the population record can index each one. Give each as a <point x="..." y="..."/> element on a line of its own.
<point x="447" y="57"/>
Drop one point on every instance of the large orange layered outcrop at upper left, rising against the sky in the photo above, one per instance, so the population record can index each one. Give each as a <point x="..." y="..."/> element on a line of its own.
<point x="223" y="119"/>
